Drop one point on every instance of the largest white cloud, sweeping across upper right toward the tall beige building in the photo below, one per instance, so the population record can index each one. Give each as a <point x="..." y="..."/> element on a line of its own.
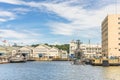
<point x="79" y="17"/>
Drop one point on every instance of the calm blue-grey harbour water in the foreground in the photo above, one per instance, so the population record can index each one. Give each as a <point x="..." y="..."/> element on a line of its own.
<point x="57" y="71"/>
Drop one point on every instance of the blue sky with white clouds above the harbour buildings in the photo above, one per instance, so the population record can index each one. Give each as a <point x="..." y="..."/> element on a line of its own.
<point x="28" y="22"/>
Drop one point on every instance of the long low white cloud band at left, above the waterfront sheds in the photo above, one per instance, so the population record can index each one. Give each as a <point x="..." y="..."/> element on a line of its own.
<point x="7" y="33"/>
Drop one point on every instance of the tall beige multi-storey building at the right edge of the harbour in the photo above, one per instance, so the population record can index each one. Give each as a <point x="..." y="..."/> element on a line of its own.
<point x="111" y="36"/>
